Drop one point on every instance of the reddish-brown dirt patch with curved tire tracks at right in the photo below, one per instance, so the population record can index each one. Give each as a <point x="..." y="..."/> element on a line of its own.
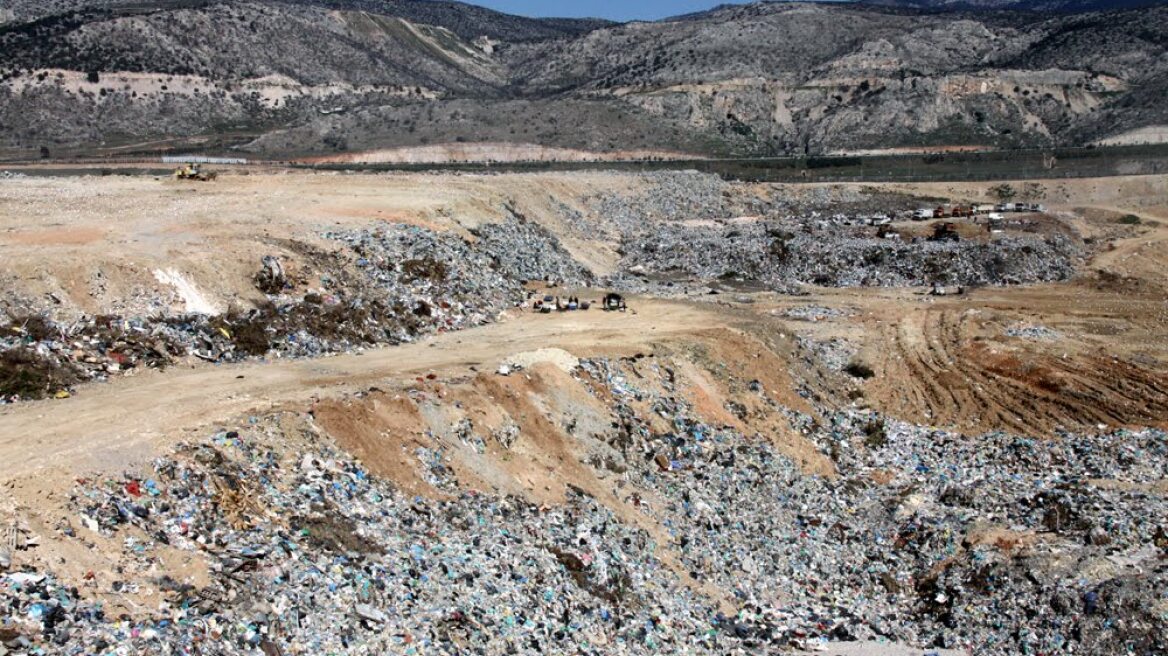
<point x="937" y="368"/>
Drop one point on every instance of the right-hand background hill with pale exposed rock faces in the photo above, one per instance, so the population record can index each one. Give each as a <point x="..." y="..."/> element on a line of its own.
<point x="810" y="79"/>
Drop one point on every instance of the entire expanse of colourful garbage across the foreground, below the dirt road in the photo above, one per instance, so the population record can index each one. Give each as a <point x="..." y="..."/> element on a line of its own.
<point x="999" y="545"/>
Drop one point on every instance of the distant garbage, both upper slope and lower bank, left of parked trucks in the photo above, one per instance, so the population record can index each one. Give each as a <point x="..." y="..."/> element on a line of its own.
<point x="685" y="229"/>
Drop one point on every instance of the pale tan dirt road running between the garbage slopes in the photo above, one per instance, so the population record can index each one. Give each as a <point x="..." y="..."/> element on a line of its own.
<point x="110" y="425"/>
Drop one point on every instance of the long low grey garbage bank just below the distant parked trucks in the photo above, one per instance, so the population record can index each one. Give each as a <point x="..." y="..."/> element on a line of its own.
<point x="769" y="253"/>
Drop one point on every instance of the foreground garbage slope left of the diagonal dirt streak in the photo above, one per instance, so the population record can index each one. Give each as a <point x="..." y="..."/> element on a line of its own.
<point x="311" y="555"/>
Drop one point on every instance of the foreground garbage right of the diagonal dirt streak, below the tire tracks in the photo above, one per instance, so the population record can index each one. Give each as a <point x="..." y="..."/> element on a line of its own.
<point x="1000" y="545"/>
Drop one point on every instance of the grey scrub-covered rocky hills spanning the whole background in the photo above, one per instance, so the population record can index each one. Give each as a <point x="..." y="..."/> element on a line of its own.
<point x="310" y="78"/>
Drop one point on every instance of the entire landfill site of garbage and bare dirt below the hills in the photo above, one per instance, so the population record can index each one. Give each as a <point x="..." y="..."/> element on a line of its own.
<point x="288" y="413"/>
